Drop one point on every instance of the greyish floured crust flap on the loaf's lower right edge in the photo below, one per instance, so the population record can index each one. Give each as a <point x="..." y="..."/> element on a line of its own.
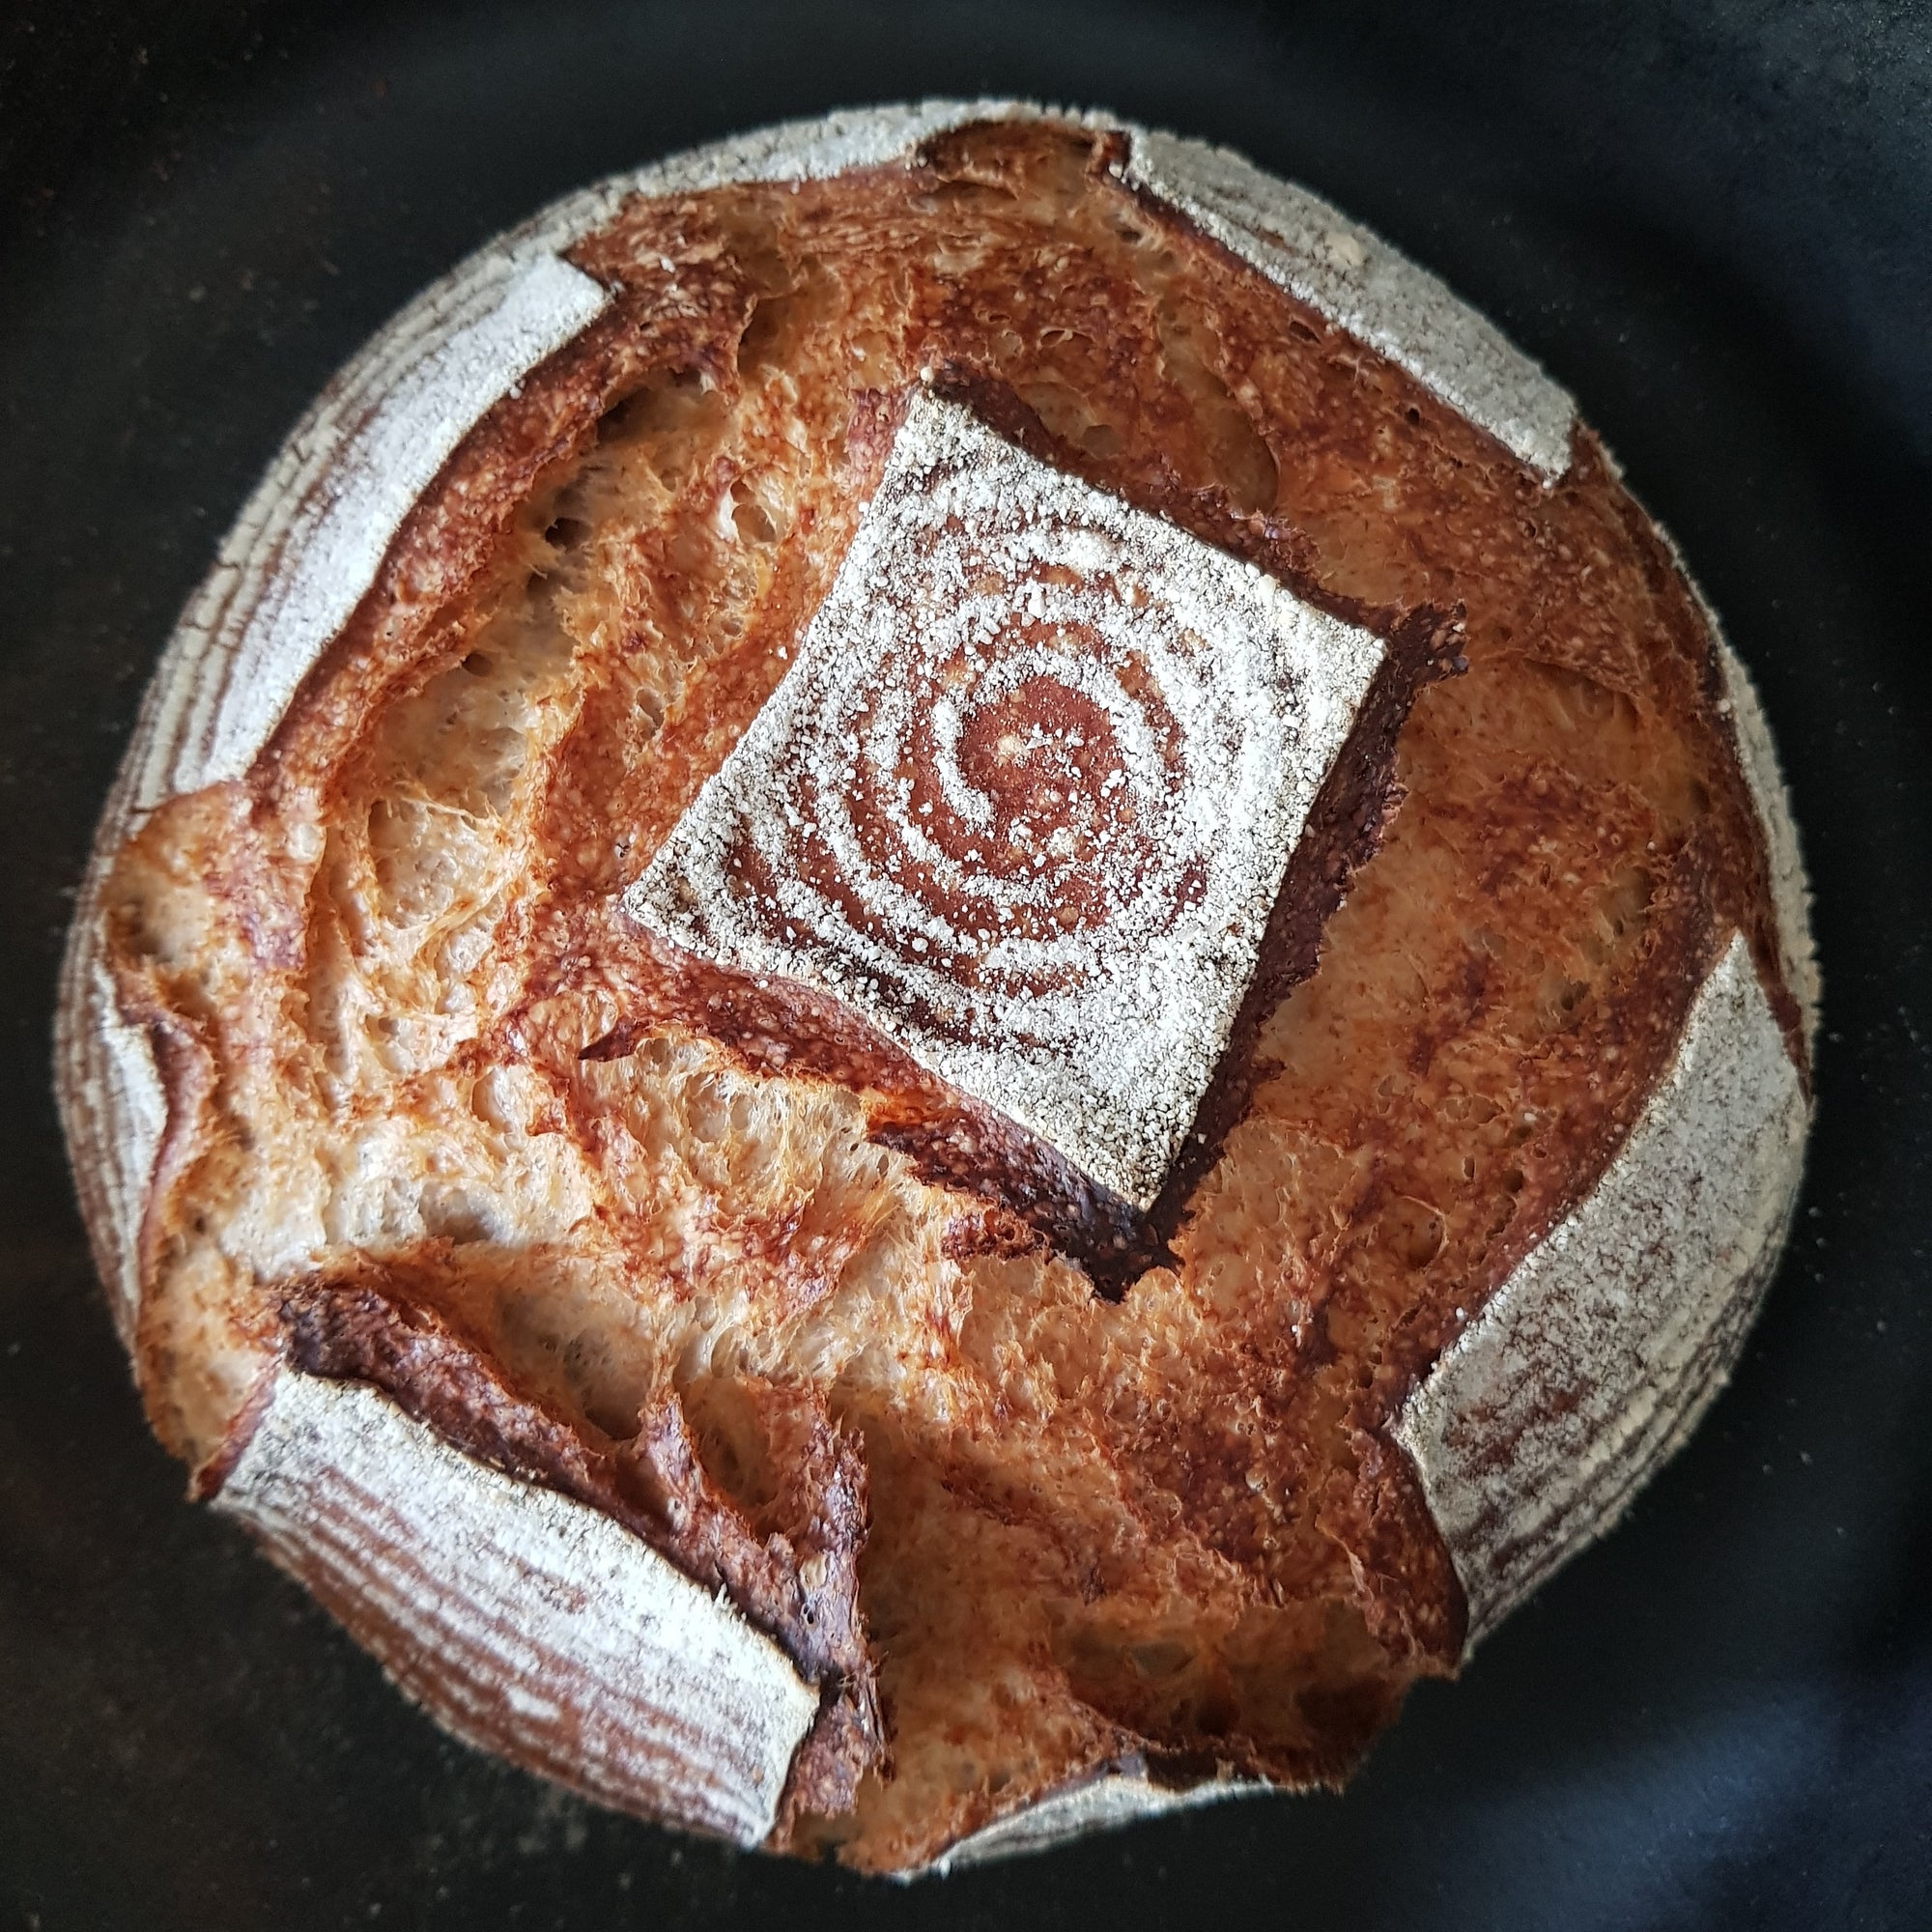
<point x="1595" y="1357"/>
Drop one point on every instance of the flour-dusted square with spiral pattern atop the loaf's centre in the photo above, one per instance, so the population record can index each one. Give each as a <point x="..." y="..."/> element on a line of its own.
<point x="1025" y="797"/>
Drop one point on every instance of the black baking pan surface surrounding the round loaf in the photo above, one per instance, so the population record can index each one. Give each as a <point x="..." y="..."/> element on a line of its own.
<point x="1713" y="223"/>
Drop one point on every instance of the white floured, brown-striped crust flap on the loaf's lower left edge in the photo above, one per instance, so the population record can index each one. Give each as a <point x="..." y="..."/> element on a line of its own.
<point x="523" y="1622"/>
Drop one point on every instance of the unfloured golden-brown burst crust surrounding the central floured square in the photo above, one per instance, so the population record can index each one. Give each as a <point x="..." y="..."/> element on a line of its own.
<point x="1168" y="1531"/>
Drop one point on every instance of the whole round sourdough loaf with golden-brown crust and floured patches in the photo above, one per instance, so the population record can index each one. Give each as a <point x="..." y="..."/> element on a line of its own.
<point x="942" y="986"/>
